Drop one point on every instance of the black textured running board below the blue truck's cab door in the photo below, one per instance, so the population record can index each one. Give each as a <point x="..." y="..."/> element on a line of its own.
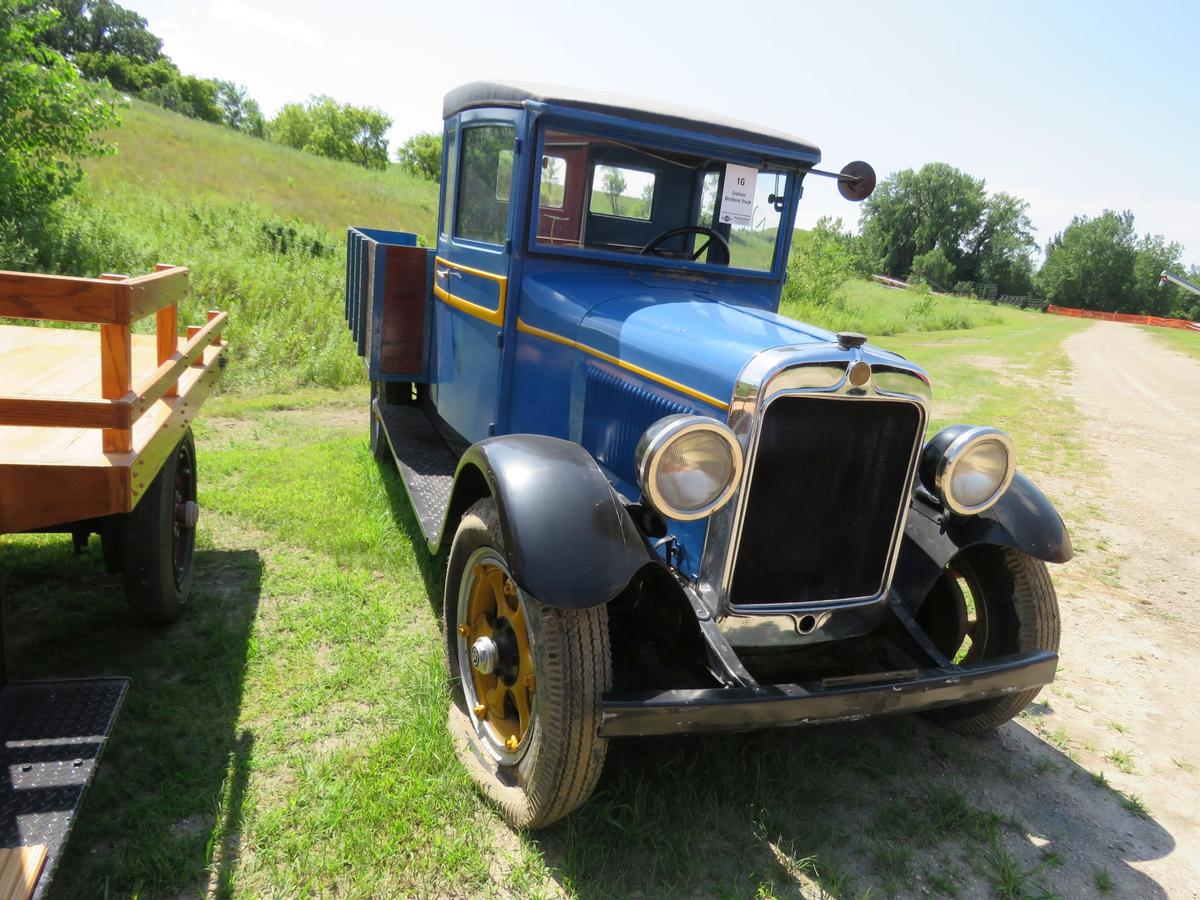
<point x="425" y="464"/>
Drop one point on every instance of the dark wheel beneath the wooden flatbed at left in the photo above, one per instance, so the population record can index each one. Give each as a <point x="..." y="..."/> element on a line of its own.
<point x="159" y="541"/>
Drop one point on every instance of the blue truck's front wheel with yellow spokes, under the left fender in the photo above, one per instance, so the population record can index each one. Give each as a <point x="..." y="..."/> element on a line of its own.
<point x="551" y="760"/>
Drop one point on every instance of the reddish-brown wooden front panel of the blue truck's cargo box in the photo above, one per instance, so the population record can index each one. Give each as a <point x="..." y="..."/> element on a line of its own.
<point x="405" y="298"/>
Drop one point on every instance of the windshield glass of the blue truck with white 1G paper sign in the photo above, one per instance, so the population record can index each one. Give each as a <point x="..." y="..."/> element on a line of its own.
<point x="602" y="194"/>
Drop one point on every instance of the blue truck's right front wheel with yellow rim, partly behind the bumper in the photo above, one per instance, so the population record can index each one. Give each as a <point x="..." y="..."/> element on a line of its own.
<point x="989" y="603"/>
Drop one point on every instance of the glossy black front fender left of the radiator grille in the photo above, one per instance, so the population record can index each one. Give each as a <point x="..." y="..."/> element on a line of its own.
<point x="568" y="539"/>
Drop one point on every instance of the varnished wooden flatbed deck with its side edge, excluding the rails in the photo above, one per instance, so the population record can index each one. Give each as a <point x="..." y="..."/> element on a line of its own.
<point x="52" y="476"/>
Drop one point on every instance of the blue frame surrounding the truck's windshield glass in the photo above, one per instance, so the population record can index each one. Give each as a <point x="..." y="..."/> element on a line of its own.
<point x="668" y="140"/>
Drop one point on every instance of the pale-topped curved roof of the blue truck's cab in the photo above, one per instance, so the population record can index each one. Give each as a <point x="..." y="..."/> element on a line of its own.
<point x="515" y="94"/>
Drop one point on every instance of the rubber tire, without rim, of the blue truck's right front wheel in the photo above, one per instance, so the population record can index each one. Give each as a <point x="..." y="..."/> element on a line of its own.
<point x="1015" y="592"/>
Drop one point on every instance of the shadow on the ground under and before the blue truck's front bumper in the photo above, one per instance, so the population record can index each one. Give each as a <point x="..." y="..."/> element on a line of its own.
<point x="893" y="807"/>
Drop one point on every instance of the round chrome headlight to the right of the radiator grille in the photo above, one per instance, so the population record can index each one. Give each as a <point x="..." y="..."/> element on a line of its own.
<point x="969" y="469"/>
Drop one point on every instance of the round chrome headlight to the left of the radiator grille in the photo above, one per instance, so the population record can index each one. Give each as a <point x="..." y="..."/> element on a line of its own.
<point x="688" y="466"/>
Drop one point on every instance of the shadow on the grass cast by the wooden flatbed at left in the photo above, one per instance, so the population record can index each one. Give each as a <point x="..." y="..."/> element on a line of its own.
<point x="164" y="813"/>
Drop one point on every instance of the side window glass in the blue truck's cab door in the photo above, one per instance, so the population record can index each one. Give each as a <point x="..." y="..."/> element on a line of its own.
<point x="485" y="183"/>
